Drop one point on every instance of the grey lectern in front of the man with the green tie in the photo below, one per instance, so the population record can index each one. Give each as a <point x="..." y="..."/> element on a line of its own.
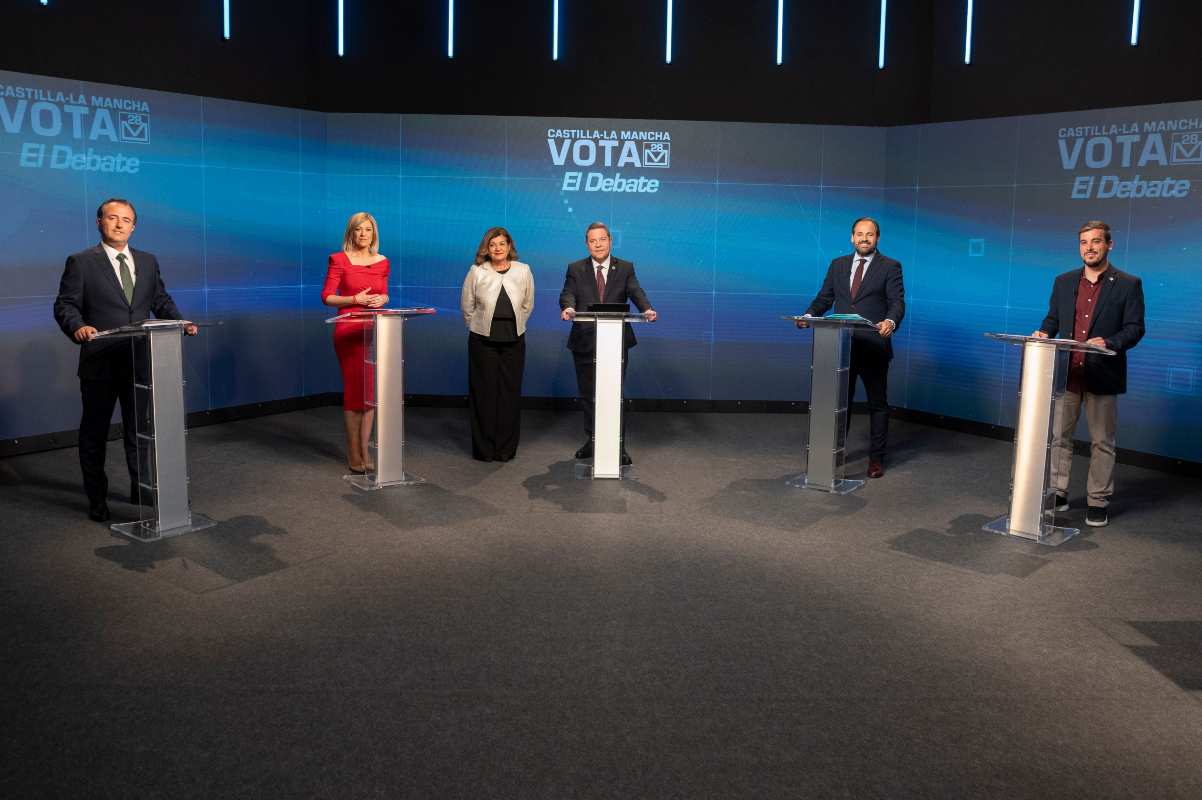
<point x="164" y="508"/>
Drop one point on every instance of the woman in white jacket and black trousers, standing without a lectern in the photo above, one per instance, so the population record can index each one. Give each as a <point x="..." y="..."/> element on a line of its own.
<point x="497" y="301"/>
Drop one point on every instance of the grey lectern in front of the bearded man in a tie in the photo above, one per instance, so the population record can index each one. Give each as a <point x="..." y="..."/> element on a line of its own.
<point x="830" y="404"/>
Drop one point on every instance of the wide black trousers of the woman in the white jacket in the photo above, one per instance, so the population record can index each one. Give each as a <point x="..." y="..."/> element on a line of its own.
<point x="495" y="397"/>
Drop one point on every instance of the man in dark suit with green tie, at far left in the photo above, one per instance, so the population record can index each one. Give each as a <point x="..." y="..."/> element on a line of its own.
<point x="104" y="288"/>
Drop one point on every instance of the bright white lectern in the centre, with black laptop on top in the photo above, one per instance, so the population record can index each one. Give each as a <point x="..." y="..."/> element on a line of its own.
<point x="608" y="387"/>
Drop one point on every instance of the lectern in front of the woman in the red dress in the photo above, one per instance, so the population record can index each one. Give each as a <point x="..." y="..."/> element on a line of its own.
<point x="384" y="390"/>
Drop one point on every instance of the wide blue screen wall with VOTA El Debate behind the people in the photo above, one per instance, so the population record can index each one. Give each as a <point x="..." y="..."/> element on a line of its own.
<point x="243" y="205"/>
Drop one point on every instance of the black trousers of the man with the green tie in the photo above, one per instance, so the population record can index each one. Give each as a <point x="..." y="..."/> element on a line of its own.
<point x="99" y="399"/>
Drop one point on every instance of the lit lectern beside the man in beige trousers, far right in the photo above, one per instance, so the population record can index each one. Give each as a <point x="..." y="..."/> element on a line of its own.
<point x="1044" y="375"/>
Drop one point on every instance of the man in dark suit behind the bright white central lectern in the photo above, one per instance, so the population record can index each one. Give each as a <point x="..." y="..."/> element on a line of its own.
<point x="602" y="278"/>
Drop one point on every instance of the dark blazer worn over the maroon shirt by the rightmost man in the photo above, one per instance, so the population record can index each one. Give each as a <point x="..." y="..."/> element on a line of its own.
<point x="1118" y="319"/>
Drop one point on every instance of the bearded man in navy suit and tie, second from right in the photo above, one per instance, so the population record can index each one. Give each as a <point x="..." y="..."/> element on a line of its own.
<point x="867" y="283"/>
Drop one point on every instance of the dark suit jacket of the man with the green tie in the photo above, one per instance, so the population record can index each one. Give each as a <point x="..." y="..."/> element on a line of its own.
<point x="91" y="295"/>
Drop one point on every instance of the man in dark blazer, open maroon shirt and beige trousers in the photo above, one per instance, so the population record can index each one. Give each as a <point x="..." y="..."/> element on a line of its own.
<point x="1102" y="306"/>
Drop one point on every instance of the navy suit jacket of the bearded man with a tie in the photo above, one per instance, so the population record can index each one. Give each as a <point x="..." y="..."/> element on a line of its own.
<point x="882" y="297"/>
